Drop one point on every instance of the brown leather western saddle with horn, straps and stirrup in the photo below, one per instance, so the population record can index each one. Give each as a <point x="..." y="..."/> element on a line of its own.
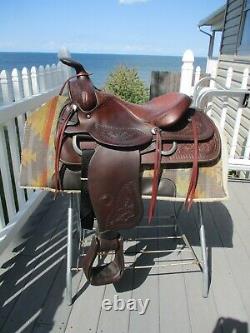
<point x="102" y="144"/>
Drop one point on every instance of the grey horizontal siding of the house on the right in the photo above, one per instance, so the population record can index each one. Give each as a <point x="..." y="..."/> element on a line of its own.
<point x="229" y="58"/>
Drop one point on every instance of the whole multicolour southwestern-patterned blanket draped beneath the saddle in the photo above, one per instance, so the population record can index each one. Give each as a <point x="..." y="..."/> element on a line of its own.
<point x="38" y="160"/>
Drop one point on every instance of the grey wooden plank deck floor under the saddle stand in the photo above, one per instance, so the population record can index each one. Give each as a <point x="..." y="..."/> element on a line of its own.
<point x="32" y="280"/>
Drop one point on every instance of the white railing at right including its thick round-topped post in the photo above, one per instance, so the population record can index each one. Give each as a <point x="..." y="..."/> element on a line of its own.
<point x="230" y="109"/>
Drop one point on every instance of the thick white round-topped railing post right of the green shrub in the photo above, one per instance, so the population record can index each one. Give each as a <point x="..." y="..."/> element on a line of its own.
<point x="187" y="72"/>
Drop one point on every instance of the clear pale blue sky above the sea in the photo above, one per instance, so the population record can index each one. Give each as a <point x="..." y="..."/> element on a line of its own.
<point x="159" y="27"/>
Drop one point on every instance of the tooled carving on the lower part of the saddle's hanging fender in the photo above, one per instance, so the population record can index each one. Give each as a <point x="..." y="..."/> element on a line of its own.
<point x="124" y="212"/>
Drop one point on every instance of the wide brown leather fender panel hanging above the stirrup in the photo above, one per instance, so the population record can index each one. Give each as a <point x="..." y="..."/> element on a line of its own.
<point x="113" y="179"/>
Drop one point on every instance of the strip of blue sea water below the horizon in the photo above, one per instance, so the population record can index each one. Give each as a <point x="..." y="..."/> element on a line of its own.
<point x="100" y="64"/>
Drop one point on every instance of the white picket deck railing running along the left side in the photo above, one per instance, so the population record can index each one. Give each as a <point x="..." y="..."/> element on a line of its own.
<point x="20" y="92"/>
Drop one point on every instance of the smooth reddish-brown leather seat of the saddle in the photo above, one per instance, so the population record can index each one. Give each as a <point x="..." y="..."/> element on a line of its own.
<point x="163" y="111"/>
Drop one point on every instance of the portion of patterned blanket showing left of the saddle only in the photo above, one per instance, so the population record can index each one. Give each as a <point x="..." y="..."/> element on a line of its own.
<point x="38" y="151"/>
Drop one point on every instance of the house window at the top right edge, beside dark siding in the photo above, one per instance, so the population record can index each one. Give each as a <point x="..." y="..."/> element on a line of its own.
<point x="244" y="43"/>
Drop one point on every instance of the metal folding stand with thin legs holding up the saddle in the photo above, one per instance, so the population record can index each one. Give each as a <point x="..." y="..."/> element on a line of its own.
<point x="74" y="225"/>
